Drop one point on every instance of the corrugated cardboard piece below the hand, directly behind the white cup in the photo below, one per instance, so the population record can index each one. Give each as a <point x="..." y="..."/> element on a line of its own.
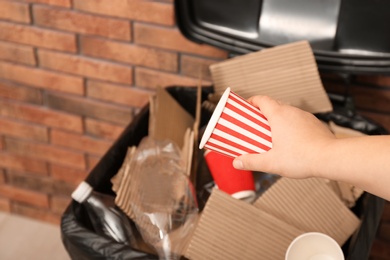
<point x="309" y="205"/>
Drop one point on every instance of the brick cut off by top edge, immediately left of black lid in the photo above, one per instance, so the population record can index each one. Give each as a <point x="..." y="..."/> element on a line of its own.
<point x="147" y="11"/>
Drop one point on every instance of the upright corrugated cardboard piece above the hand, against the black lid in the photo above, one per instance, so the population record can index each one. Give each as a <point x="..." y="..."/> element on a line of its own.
<point x="287" y="72"/>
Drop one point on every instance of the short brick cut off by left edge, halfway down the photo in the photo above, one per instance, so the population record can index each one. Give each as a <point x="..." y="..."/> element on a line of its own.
<point x="25" y="131"/>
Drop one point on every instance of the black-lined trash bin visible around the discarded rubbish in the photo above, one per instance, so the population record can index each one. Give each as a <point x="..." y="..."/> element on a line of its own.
<point x="82" y="243"/>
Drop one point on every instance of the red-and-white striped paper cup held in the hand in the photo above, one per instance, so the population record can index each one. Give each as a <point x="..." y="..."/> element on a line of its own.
<point x="236" y="127"/>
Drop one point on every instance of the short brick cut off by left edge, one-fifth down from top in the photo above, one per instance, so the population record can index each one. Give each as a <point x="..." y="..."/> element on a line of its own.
<point x="17" y="53"/>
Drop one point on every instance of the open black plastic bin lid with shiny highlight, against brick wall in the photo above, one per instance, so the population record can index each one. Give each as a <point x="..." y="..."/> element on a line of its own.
<point x="349" y="36"/>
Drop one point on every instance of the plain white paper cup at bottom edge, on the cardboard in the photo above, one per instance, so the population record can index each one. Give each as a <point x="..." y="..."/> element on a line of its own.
<point x="314" y="246"/>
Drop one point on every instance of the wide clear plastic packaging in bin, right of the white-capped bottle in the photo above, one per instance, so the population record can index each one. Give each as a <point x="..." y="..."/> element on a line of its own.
<point x="158" y="196"/>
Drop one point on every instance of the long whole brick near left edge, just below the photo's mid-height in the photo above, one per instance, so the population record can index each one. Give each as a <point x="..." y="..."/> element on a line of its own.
<point x="46" y="152"/>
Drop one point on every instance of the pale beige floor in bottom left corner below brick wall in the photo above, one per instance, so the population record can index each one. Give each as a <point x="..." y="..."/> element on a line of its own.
<point x="24" y="238"/>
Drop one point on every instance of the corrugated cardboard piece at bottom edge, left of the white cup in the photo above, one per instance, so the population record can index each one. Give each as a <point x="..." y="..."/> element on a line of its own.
<point x="233" y="229"/>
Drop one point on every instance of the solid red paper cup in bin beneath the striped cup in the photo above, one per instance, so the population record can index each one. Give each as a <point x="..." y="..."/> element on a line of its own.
<point x="238" y="183"/>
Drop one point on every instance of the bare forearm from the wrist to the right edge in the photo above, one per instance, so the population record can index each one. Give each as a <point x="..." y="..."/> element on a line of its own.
<point x="361" y="161"/>
